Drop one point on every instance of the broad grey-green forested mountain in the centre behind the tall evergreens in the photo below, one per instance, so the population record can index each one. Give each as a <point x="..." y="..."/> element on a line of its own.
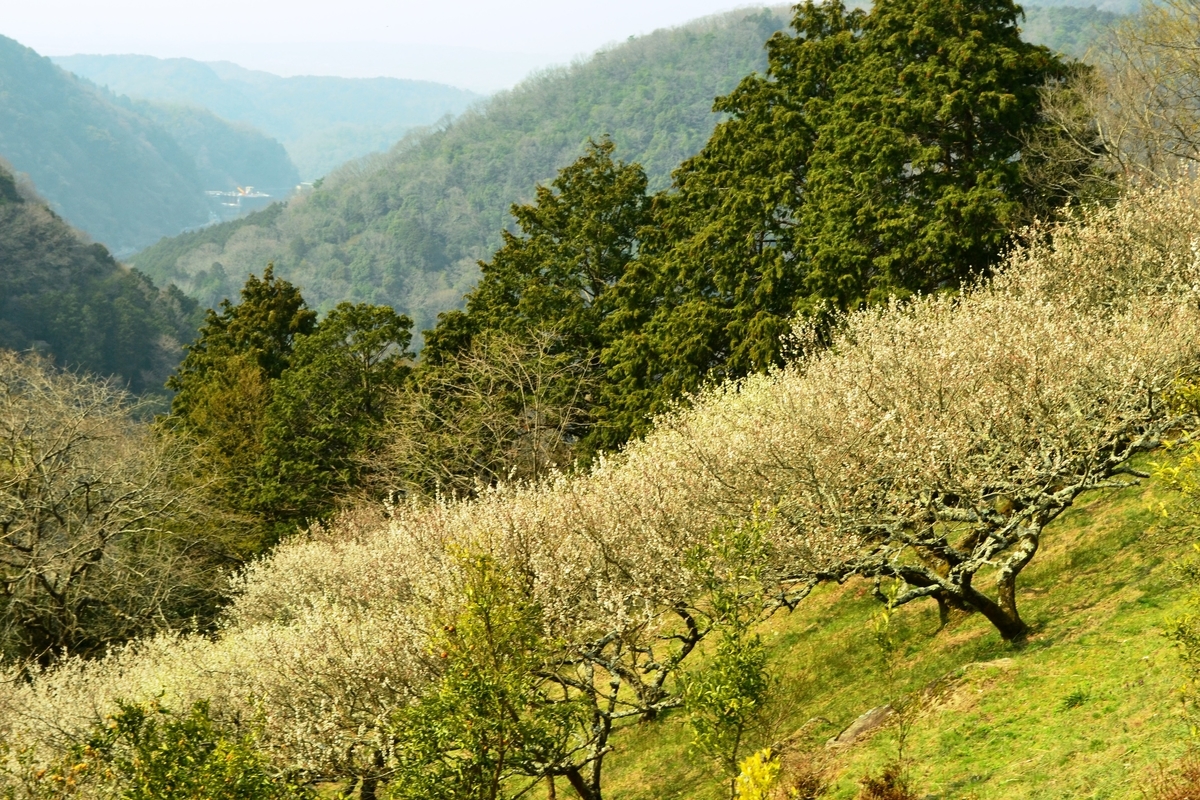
<point x="407" y="228"/>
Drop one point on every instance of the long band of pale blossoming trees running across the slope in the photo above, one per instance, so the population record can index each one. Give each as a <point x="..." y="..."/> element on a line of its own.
<point x="931" y="443"/>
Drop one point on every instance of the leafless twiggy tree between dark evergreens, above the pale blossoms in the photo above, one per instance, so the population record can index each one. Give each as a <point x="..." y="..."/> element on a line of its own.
<point x="508" y="410"/>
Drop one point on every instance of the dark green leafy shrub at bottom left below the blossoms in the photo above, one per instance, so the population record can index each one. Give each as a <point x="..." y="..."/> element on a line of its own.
<point x="152" y="754"/>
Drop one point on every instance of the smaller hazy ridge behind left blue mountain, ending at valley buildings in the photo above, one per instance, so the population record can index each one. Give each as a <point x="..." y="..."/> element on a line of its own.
<point x="226" y="154"/>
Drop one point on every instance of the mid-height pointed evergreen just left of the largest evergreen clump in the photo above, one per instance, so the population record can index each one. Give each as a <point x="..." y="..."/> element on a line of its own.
<point x="556" y="276"/>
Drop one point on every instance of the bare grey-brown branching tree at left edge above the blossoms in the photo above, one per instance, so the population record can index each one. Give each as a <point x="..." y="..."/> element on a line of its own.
<point x="95" y="540"/>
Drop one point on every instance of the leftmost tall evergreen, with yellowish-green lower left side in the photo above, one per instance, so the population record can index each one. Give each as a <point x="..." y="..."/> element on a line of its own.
<point x="224" y="387"/>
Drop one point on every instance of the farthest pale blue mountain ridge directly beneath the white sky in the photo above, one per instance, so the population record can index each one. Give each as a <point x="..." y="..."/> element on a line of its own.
<point x="322" y="122"/>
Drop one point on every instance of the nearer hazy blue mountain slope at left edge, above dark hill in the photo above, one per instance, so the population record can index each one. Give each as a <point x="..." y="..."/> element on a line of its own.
<point x="105" y="169"/>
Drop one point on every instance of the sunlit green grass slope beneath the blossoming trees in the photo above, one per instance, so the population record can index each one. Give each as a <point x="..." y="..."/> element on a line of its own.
<point x="1089" y="707"/>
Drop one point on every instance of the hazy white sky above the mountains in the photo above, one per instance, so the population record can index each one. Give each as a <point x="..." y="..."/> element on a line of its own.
<point x="484" y="45"/>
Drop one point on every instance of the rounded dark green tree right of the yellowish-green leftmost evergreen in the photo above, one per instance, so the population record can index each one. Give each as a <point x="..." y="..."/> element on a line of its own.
<point x="327" y="411"/>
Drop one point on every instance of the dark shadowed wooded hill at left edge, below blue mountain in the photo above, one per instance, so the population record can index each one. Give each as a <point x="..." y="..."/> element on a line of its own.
<point x="69" y="299"/>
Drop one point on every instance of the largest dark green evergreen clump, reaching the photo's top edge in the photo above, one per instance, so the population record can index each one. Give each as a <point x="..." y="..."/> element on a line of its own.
<point x="879" y="157"/>
